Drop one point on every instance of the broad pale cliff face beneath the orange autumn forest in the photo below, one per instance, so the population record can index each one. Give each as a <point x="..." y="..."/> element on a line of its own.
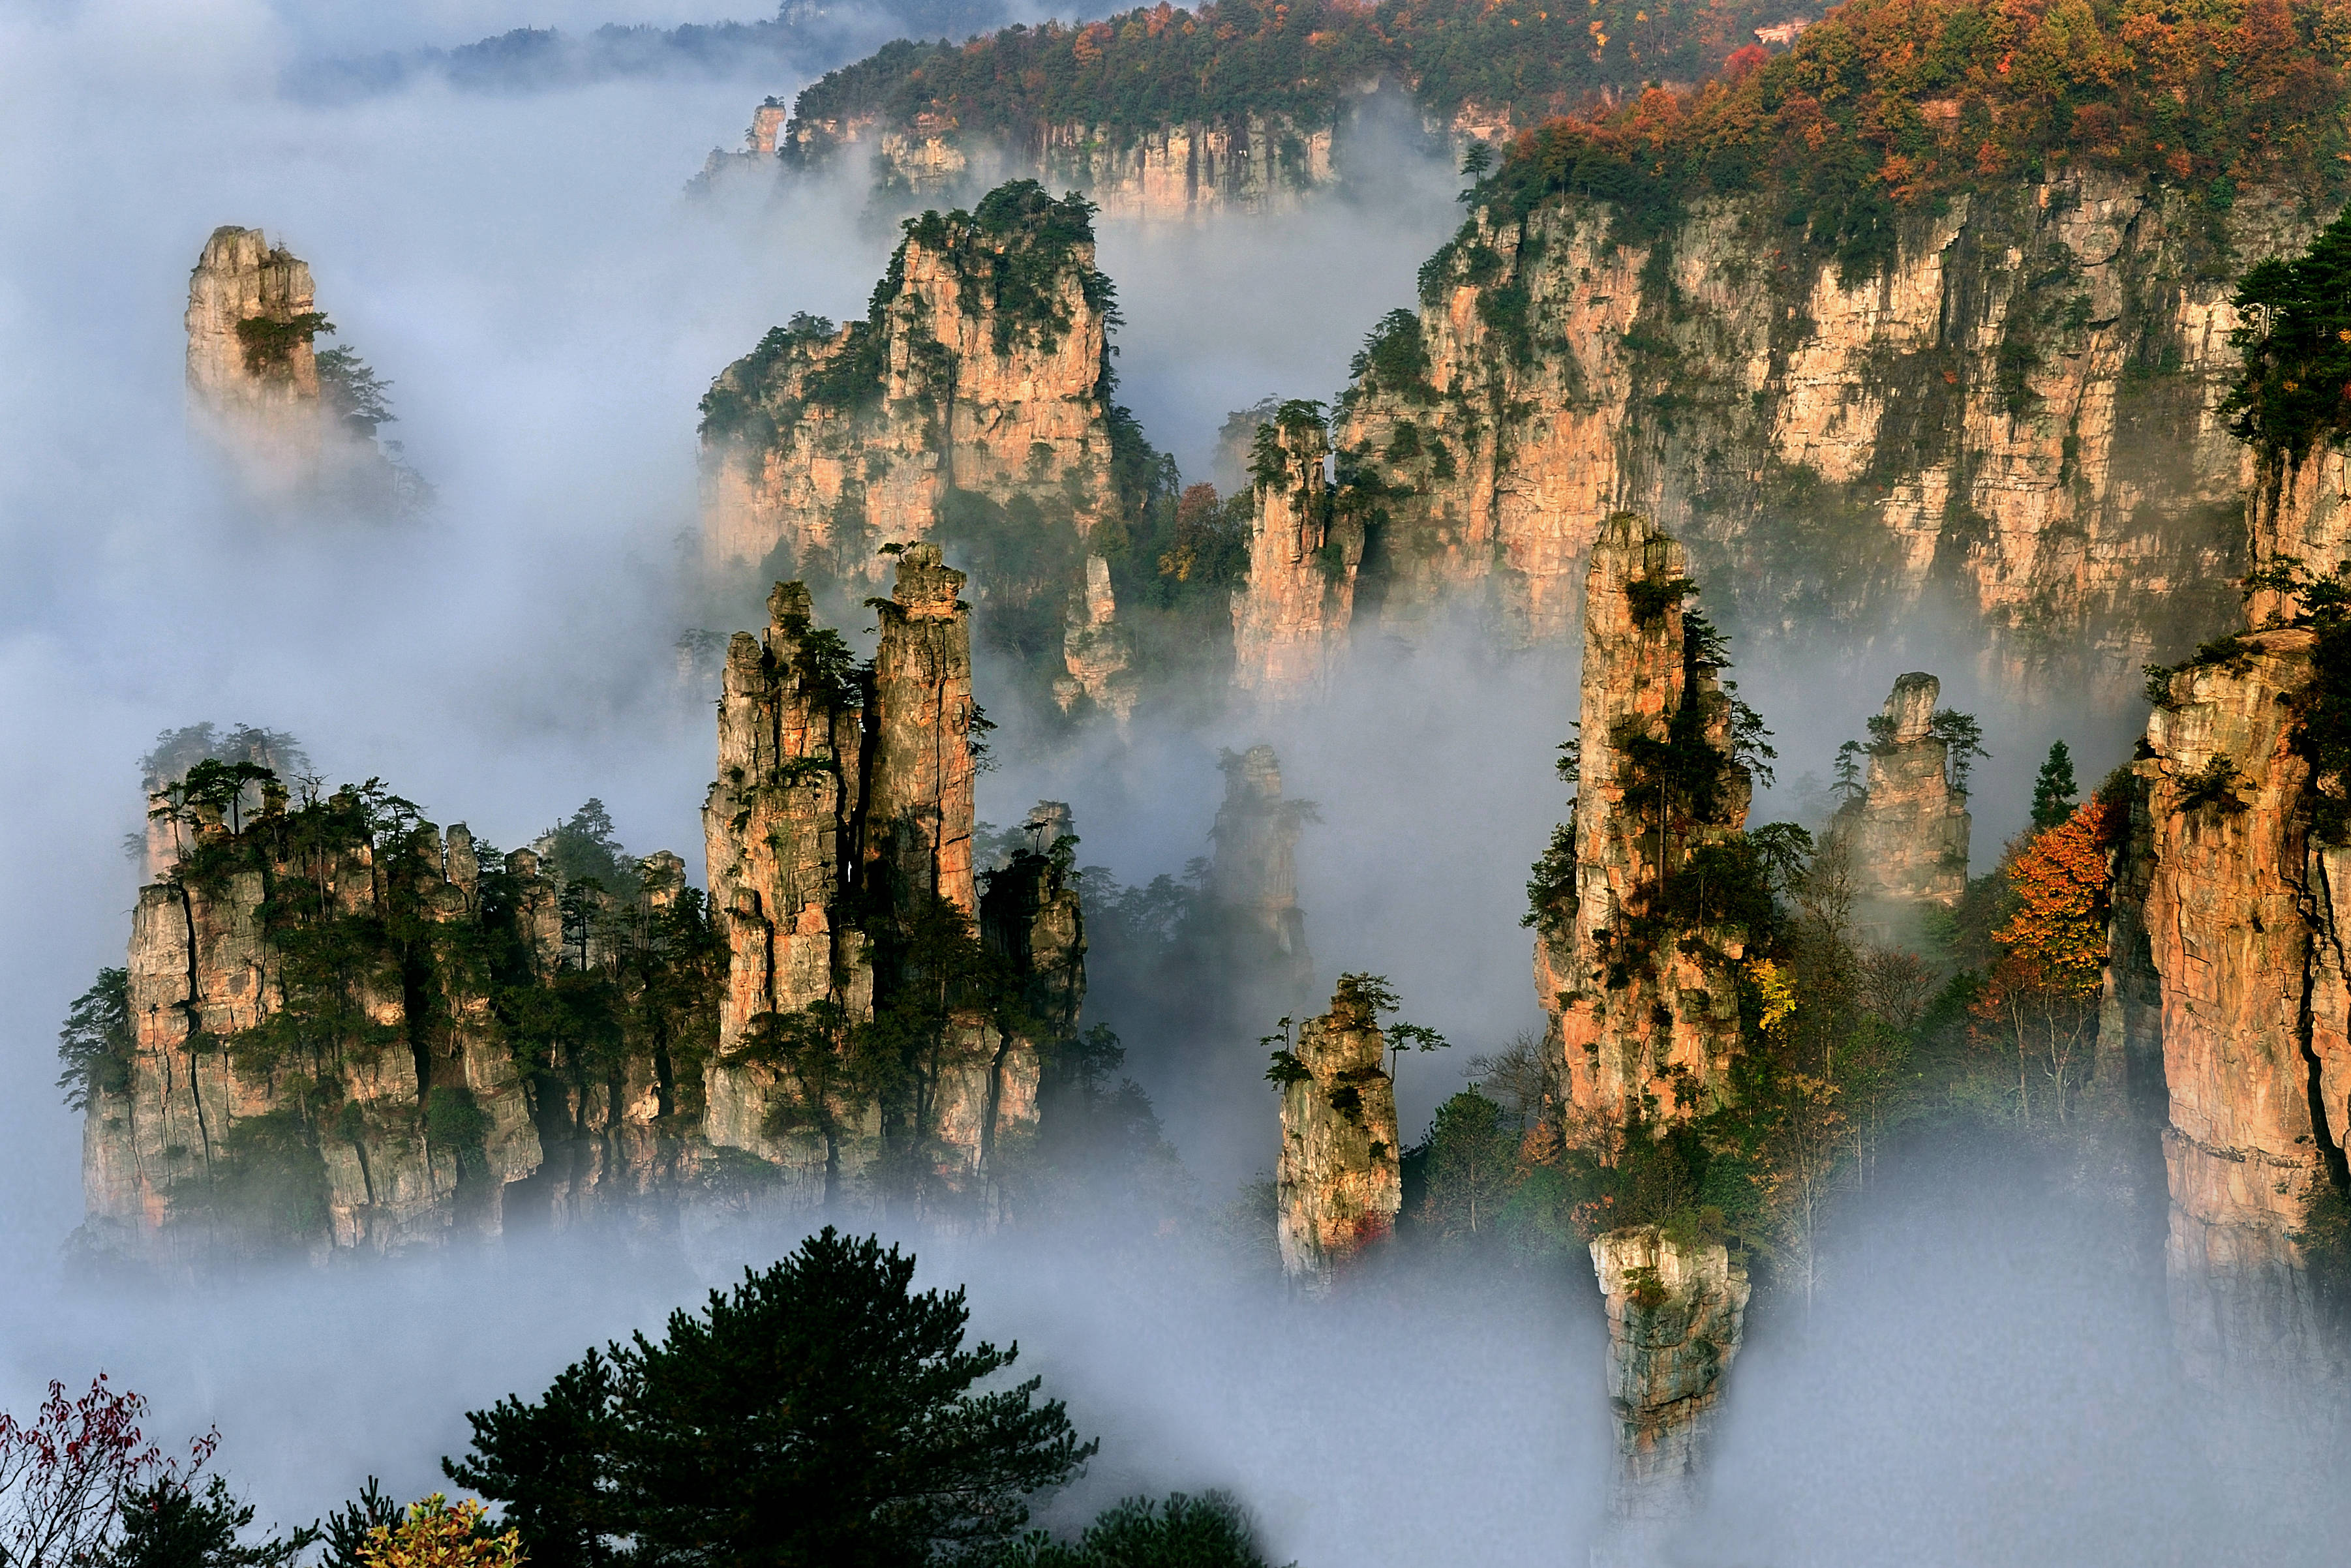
<point x="2016" y="417"/>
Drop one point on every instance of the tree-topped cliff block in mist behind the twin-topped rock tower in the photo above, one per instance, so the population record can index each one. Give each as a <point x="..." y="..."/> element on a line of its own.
<point x="974" y="387"/>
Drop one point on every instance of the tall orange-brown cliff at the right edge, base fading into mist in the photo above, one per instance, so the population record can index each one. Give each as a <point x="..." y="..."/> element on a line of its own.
<point x="2246" y="937"/>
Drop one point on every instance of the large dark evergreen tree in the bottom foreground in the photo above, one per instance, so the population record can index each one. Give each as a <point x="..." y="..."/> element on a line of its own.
<point x="819" y="1414"/>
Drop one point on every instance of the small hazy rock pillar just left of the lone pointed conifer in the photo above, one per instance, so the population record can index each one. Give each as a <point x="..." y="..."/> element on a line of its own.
<point x="1908" y="831"/>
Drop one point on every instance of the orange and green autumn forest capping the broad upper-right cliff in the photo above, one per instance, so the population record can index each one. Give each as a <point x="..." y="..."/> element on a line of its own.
<point x="1896" y="105"/>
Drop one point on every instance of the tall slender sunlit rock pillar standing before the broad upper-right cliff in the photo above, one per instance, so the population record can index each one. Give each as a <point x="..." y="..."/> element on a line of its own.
<point x="1633" y="965"/>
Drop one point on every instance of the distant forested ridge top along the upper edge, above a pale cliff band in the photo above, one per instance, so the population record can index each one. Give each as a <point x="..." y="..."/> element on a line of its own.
<point x="1252" y="58"/>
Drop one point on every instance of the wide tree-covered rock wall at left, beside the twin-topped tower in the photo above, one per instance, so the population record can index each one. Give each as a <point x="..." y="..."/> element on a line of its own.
<point x="319" y="1064"/>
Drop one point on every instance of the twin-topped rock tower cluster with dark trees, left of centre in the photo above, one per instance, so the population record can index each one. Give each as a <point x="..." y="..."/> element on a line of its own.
<point x="840" y="859"/>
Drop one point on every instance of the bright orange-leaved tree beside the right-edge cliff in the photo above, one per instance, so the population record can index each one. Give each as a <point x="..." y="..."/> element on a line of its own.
<point x="2054" y="949"/>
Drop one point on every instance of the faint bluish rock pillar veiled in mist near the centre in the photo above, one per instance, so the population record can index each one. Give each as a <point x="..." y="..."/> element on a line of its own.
<point x="1257" y="930"/>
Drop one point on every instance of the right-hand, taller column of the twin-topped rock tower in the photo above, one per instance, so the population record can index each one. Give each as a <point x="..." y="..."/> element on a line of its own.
<point x="918" y="836"/>
